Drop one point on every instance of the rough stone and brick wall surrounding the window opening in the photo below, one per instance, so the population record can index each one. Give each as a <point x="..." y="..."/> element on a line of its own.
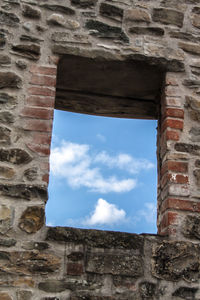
<point x="39" y="42"/>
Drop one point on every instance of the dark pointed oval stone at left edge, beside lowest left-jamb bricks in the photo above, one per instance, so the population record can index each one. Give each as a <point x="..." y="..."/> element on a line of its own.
<point x="15" y="156"/>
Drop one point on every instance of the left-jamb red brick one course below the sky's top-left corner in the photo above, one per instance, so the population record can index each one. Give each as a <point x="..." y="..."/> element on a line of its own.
<point x="37" y="125"/>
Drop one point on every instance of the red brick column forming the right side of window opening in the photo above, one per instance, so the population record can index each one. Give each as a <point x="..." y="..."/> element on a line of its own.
<point x="173" y="183"/>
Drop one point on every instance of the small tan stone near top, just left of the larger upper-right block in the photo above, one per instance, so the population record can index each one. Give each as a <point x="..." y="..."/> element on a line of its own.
<point x="137" y="15"/>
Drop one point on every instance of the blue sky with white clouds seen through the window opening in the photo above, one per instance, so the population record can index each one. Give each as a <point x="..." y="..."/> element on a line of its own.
<point x="103" y="173"/>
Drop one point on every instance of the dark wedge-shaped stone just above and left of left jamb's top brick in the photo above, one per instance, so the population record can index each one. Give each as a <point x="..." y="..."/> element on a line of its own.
<point x="31" y="51"/>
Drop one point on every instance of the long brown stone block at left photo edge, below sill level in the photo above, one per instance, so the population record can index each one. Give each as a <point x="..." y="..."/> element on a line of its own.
<point x="28" y="262"/>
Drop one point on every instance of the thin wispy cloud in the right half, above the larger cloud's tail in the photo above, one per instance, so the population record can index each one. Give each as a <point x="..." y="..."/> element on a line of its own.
<point x="124" y="161"/>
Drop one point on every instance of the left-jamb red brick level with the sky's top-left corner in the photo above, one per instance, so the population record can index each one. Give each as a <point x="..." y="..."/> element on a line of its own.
<point x="38" y="113"/>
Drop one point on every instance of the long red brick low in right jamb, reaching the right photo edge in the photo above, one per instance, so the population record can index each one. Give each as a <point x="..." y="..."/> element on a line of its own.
<point x="178" y="204"/>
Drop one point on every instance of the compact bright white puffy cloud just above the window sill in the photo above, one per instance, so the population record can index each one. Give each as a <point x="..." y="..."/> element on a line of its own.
<point x="105" y="213"/>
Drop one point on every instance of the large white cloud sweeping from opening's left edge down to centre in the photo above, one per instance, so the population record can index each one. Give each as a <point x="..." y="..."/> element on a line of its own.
<point x="74" y="162"/>
